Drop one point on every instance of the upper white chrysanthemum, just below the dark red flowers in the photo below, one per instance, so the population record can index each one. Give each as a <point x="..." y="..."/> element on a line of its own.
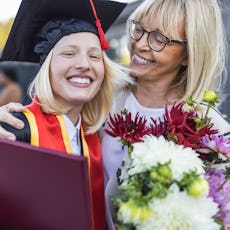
<point x="158" y="150"/>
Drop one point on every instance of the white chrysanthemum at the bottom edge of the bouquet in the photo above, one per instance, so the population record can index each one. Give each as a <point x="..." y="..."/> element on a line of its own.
<point x="181" y="211"/>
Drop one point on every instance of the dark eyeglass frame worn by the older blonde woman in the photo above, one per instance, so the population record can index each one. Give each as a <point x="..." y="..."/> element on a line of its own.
<point x="168" y="40"/>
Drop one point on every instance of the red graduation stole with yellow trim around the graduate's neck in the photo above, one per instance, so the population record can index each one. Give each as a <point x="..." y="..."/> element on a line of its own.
<point x="48" y="130"/>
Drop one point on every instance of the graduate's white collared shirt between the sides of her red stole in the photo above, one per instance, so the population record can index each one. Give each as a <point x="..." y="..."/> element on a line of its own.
<point x="74" y="135"/>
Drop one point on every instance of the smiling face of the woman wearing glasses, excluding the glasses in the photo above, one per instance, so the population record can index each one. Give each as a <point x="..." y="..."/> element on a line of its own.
<point x="149" y="65"/>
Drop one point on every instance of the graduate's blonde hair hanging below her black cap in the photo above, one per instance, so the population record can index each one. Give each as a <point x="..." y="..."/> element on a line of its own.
<point x="95" y="112"/>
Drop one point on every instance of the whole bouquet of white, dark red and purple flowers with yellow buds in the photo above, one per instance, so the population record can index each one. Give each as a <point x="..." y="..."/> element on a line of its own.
<point x="167" y="179"/>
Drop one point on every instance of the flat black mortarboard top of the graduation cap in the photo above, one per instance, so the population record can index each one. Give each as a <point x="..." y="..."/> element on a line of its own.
<point x="34" y="14"/>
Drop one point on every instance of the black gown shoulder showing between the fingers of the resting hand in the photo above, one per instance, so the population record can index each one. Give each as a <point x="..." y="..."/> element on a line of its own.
<point x="21" y="134"/>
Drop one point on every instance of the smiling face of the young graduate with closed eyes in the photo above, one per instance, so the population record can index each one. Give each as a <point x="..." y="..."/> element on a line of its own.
<point x="77" y="69"/>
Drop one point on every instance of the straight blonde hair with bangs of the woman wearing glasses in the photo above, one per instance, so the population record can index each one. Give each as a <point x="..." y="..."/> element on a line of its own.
<point x="205" y="40"/>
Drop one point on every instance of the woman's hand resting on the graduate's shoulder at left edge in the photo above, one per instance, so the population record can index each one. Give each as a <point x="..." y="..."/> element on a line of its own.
<point x="7" y="117"/>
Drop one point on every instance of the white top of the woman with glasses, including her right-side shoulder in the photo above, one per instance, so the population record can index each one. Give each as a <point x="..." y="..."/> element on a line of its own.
<point x="112" y="153"/>
